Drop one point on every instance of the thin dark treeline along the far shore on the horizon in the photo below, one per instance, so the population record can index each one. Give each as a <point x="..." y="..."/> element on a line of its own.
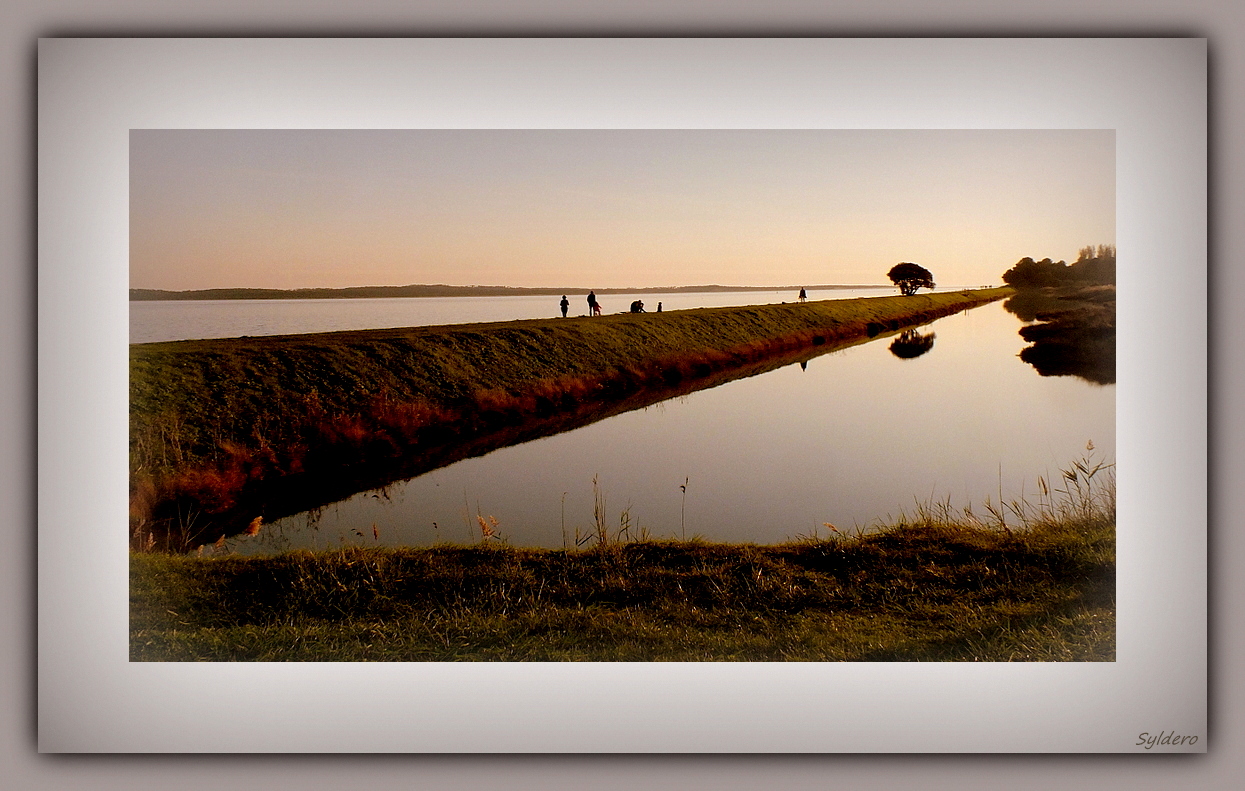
<point x="367" y="292"/>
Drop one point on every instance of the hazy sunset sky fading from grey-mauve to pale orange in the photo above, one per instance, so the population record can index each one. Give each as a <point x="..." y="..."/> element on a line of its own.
<point x="608" y="209"/>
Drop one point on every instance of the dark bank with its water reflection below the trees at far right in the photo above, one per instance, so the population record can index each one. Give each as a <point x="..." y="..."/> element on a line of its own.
<point x="1074" y="332"/>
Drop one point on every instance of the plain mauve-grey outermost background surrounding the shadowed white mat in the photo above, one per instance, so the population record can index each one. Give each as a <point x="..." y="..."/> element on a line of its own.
<point x="24" y="769"/>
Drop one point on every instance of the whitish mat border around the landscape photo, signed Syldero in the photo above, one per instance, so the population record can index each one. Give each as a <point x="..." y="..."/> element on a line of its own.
<point x="93" y="92"/>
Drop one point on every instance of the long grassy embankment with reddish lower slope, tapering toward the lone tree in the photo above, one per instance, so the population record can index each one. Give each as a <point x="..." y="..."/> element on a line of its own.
<point x="237" y="428"/>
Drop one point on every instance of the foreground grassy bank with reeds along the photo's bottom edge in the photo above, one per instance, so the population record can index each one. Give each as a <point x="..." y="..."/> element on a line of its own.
<point x="1025" y="584"/>
